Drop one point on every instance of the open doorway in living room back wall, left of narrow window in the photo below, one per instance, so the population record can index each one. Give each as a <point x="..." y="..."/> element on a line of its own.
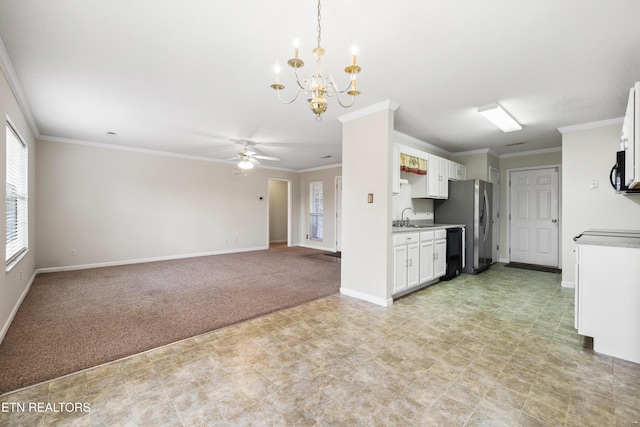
<point x="279" y="210"/>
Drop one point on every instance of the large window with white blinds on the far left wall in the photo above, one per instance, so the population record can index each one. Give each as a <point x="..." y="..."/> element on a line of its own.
<point x="17" y="196"/>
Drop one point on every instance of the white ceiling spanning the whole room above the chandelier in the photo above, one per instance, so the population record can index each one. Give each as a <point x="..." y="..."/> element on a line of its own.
<point x="190" y="76"/>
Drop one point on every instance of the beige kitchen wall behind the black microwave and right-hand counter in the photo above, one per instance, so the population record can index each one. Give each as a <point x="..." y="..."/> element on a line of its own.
<point x="588" y="155"/>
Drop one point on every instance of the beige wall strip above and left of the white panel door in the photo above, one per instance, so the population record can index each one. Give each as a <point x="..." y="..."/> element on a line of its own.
<point x="507" y="163"/>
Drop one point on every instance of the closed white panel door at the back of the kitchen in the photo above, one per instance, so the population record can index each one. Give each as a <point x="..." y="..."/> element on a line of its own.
<point x="534" y="226"/>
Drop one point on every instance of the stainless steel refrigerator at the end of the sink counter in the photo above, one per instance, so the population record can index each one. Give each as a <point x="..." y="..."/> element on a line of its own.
<point x="469" y="203"/>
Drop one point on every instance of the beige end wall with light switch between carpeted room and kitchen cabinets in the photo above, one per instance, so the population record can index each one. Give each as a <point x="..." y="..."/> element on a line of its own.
<point x="366" y="227"/>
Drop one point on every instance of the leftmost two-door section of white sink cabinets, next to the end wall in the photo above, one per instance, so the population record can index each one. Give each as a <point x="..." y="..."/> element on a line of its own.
<point x="406" y="261"/>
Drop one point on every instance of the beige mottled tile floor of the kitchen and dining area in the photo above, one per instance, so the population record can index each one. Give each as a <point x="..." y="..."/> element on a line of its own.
<point x="496" y="349"/>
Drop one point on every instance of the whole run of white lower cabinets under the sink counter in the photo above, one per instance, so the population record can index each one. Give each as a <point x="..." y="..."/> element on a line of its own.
<point x="418" y="258"/>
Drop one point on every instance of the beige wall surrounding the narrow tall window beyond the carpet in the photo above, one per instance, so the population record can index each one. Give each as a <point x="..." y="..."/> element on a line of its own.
<point x="328" y="178"/>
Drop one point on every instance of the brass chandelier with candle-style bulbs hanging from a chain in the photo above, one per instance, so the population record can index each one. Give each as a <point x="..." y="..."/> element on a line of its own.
<point x="317" y="85"/>
